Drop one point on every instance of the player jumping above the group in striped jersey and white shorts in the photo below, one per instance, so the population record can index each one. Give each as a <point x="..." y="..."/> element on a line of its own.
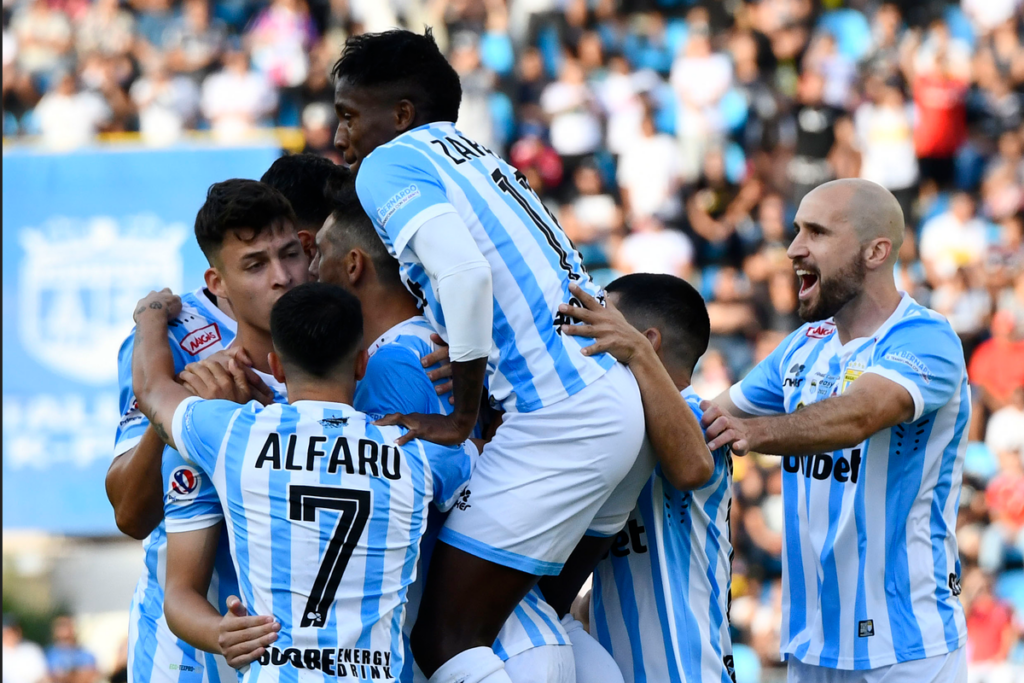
<point x="491" y="267"/>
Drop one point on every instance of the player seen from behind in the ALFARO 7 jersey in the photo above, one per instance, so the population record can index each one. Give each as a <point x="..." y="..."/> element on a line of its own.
<point x="311" y="480"/>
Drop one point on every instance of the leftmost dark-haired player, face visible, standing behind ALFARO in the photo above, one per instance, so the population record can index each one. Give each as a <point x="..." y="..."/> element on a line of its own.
<point x="247" y="231"/>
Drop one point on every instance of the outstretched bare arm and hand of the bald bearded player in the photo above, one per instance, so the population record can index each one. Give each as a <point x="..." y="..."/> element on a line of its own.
<point x="871" y="405"/>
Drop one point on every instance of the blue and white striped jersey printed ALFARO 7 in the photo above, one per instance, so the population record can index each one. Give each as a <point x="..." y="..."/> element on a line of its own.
<point x="325" y="517"/>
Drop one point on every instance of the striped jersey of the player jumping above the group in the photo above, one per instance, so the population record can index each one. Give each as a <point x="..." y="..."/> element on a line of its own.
<point x="435" y="170"/>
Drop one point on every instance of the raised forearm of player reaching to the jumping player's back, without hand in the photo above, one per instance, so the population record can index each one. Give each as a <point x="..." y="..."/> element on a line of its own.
<point x="673" y="431"/>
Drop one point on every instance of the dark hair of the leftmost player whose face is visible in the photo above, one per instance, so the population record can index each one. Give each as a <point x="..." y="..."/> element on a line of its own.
<point x="239" y="204"/>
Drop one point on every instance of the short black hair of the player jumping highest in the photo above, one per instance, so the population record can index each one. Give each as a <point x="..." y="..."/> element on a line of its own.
<point x="407" y="62"/>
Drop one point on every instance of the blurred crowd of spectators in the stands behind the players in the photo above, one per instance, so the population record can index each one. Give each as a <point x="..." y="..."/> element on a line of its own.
<point x="668" y="137"/>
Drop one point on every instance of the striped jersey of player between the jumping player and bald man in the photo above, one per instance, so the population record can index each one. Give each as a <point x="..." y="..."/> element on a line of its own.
<point x="661" y="600"/>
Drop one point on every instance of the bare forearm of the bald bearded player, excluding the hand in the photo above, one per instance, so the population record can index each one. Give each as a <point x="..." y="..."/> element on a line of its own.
<point x="842" y="422"/>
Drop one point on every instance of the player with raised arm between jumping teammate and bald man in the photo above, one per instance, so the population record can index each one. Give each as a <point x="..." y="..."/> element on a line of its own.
<point x="660" y="602"/>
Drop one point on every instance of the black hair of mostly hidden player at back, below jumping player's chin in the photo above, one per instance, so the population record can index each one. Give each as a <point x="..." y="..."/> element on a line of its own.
<point x="304" y="179"/>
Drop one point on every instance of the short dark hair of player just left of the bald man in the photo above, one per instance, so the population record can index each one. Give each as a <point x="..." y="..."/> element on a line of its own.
<point x="672" y="306"/>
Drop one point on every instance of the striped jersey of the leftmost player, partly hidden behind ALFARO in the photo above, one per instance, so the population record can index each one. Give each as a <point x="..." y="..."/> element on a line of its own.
<point x="156" y="655"/>
